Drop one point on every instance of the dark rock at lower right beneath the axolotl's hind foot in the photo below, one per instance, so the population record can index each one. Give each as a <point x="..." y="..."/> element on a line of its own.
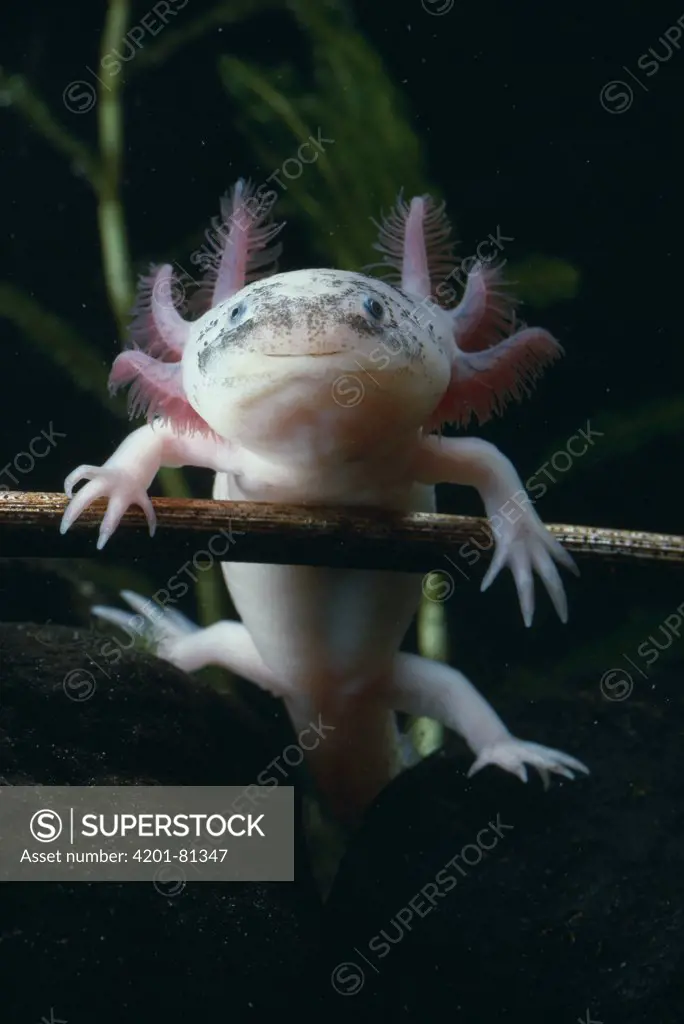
<point x="577" y="909"/>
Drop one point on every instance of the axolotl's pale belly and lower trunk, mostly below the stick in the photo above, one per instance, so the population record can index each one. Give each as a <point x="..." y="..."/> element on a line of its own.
<point x="331" y="636"/>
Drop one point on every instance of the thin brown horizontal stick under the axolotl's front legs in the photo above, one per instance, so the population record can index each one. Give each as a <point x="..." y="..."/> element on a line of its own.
<point x="296" y="535"/>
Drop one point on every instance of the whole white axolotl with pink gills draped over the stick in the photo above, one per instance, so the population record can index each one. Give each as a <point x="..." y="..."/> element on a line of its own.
<point x="258" y="390"/>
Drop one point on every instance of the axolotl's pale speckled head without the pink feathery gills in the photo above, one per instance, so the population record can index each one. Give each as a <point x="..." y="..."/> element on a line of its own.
<point x="327" y="351"/>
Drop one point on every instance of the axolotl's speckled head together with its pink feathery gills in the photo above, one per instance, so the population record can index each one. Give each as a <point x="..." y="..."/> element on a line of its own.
<point x="322" y="354"/>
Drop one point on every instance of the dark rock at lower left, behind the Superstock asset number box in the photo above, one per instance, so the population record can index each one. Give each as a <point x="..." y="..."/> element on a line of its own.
<point x="108" y="952"/>
